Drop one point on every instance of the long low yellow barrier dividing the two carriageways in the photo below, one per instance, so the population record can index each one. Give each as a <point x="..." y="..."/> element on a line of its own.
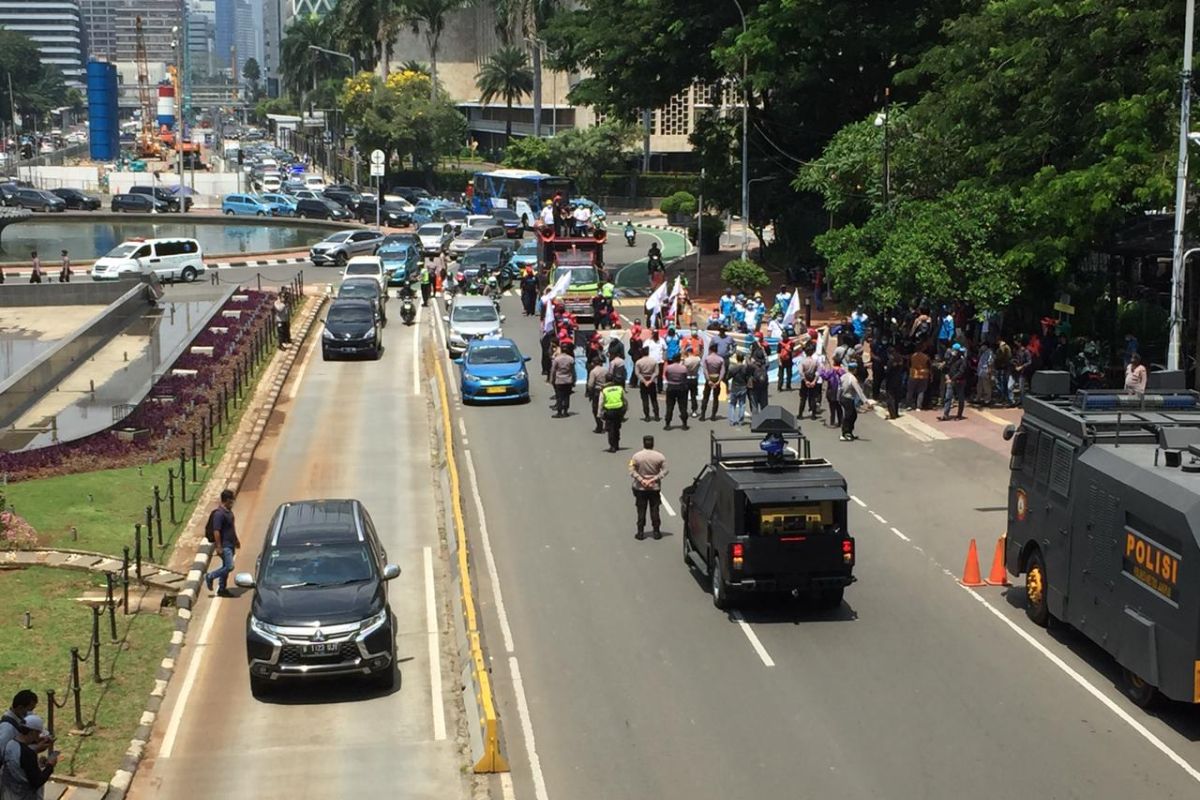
<point x="487" y="748"/>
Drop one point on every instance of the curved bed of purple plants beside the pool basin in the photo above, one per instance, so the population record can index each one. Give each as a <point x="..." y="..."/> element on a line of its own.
<point x="170" y="424"/>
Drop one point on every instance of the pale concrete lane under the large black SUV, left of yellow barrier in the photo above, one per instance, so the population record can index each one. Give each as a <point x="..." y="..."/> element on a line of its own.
<point x="349" y="429"/>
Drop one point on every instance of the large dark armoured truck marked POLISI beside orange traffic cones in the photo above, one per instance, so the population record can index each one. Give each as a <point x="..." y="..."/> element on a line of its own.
<point x="1103" y="521"/>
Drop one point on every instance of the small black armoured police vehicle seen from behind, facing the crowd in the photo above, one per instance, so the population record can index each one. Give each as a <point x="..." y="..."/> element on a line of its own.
<point x="765" y="516"/>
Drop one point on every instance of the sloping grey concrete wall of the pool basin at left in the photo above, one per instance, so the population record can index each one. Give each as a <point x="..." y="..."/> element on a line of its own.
<point x="26" y="387"/>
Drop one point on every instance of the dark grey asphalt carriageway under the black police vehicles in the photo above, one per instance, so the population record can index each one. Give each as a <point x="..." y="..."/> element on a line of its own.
<point x="633" y="685"/>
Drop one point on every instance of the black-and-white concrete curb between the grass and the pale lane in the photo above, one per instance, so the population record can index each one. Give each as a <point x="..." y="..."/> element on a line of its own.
<point x="231" y="473"/>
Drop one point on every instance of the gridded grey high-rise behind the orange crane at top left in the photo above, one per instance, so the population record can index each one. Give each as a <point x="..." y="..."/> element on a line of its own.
<point x="111" y="27"/>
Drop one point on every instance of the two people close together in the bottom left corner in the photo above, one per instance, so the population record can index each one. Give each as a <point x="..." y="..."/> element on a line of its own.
<point x="27" y="750"/>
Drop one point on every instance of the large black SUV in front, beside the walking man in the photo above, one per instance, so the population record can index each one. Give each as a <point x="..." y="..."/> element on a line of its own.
<point x="321" y="598"/>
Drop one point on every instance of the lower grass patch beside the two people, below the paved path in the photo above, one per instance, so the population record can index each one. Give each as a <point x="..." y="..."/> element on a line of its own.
<point x="39" y="659"/>
